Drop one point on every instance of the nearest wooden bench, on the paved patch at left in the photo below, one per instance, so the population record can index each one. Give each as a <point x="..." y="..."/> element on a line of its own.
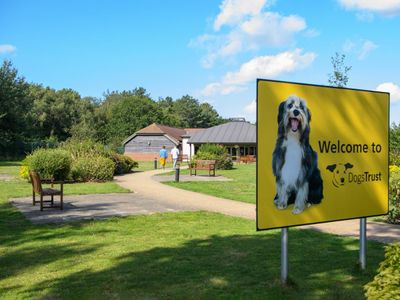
<point x="37" y="189"/>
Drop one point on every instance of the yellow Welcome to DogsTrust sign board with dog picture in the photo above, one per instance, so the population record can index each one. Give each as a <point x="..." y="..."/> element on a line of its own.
<point x="322" y="154"/>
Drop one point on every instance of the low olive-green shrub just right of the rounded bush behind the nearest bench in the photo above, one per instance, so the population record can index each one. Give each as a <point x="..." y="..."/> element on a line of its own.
<point x="92" y="168"/>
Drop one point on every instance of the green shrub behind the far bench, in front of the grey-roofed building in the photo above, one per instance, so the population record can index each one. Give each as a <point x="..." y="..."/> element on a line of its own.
<point x="217" y="152"/>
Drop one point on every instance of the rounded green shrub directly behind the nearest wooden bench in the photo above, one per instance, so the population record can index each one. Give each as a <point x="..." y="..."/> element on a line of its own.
<point x="50" y="163"/>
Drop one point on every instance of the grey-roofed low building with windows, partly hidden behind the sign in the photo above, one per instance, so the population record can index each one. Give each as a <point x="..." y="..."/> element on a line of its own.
<point x="238" y="136"/>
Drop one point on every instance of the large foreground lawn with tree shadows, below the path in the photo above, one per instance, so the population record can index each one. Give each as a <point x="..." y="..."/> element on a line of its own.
<point x="177" y="255"/>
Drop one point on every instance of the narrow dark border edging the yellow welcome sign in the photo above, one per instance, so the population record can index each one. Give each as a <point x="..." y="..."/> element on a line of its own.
<point x="324" y="86"/>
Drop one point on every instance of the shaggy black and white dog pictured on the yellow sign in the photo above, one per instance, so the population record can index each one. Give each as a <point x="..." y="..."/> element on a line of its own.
<point x="294" y="163"/>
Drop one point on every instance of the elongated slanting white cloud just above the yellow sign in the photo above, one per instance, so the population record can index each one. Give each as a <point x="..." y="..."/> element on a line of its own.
<point x="269" y="66"/>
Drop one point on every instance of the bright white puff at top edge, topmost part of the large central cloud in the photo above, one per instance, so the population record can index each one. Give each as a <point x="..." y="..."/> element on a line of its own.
<point x="233" y="11"/>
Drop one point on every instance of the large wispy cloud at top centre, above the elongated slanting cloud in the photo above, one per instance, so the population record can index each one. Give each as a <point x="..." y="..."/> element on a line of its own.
<point x="249" y="28"/>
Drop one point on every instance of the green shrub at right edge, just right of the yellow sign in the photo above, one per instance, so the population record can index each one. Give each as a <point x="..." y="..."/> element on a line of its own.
<point x="394" y="196"/>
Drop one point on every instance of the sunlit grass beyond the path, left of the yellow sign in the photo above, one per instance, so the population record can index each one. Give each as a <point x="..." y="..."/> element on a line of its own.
<point x="241" y="188"/>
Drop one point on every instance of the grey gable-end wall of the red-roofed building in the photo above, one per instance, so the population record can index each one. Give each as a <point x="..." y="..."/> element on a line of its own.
<point x="147" y="147"/>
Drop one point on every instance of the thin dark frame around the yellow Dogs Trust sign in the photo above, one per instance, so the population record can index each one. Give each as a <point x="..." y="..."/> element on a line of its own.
<point x="386" y="179"/>
